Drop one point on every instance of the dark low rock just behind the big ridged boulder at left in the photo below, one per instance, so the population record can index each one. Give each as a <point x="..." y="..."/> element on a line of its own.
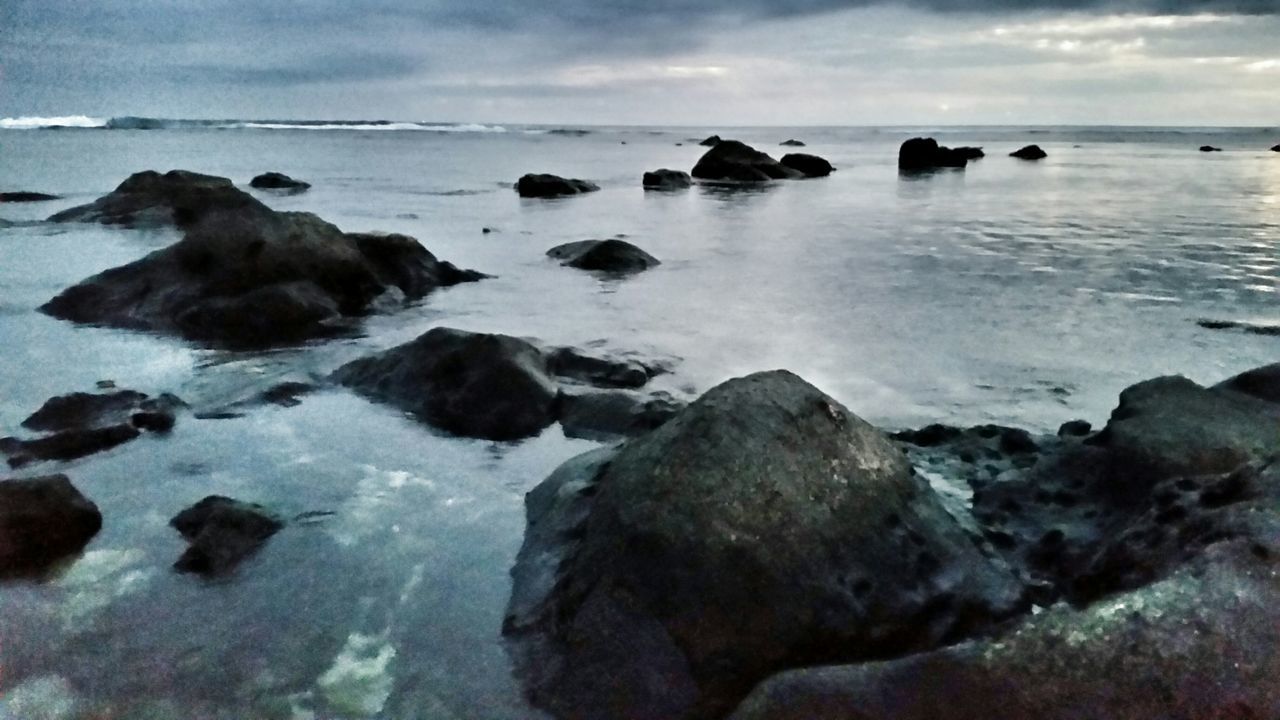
<point x="150" y="199"/>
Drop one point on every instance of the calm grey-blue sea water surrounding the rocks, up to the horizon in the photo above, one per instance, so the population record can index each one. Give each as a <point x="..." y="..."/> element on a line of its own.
<point x="1023" y="294"/>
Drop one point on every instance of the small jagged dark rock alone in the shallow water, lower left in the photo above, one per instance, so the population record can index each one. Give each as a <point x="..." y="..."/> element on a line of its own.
<point x="223" y="532"/>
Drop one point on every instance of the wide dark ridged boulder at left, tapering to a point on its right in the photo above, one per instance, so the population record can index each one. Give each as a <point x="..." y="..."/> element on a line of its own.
<point x="255" y="277"/>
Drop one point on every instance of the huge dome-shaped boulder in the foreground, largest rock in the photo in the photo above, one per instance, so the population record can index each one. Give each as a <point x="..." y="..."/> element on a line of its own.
<point x="765" y="527"/>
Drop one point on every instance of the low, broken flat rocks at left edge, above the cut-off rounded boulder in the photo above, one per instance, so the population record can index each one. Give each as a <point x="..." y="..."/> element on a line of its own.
<point x="81" y="425"/>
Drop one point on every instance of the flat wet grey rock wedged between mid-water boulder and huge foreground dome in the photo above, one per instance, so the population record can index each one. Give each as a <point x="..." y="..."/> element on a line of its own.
<point x="611" y="416"/>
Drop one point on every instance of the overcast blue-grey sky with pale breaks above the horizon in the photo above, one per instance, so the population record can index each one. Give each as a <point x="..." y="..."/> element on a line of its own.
<point x="650" y="62"/>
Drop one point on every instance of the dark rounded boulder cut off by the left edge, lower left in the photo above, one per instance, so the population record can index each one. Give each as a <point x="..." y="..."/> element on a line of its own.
<point x="43" y="521"/>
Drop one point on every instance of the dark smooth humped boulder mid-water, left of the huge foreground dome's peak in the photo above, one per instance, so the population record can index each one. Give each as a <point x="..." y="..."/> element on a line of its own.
<point x="473" y="385"/>
